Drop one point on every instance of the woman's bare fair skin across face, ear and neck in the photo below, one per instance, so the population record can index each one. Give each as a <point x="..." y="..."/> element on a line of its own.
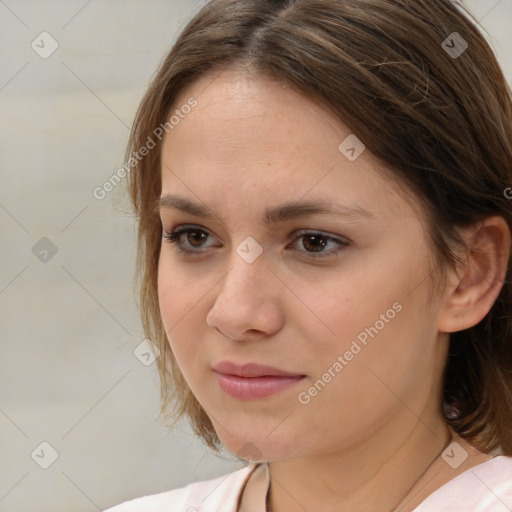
<point x="252" y="144"/>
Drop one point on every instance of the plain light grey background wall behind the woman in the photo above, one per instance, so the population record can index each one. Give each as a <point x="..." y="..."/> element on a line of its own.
<point x="69" y="326"/>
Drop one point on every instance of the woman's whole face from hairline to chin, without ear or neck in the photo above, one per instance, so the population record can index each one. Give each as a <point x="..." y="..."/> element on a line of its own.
<point x="338" y="301"/>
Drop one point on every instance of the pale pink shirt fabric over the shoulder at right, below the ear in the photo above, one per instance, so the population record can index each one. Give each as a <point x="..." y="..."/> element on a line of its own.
<point x="483" y="488"/>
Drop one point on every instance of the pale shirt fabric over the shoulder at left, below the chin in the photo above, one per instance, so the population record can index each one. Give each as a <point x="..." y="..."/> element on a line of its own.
<point x="219" y="495"/>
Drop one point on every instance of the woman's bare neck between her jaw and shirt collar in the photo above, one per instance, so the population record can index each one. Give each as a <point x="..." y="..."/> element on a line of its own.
<point x="376" y="473"/>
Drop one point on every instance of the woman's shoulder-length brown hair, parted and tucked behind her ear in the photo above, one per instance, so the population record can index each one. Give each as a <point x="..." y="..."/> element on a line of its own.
<point x="441" y="123"/>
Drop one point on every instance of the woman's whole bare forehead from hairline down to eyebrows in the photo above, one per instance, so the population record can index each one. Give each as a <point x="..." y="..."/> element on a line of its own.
<point x="259" y="141"/>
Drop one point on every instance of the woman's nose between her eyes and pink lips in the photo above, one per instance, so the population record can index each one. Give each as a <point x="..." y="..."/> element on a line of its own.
<point x="248" y="304"/>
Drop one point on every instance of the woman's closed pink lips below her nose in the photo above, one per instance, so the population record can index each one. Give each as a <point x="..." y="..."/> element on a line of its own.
<point x="253" y="381"/>
